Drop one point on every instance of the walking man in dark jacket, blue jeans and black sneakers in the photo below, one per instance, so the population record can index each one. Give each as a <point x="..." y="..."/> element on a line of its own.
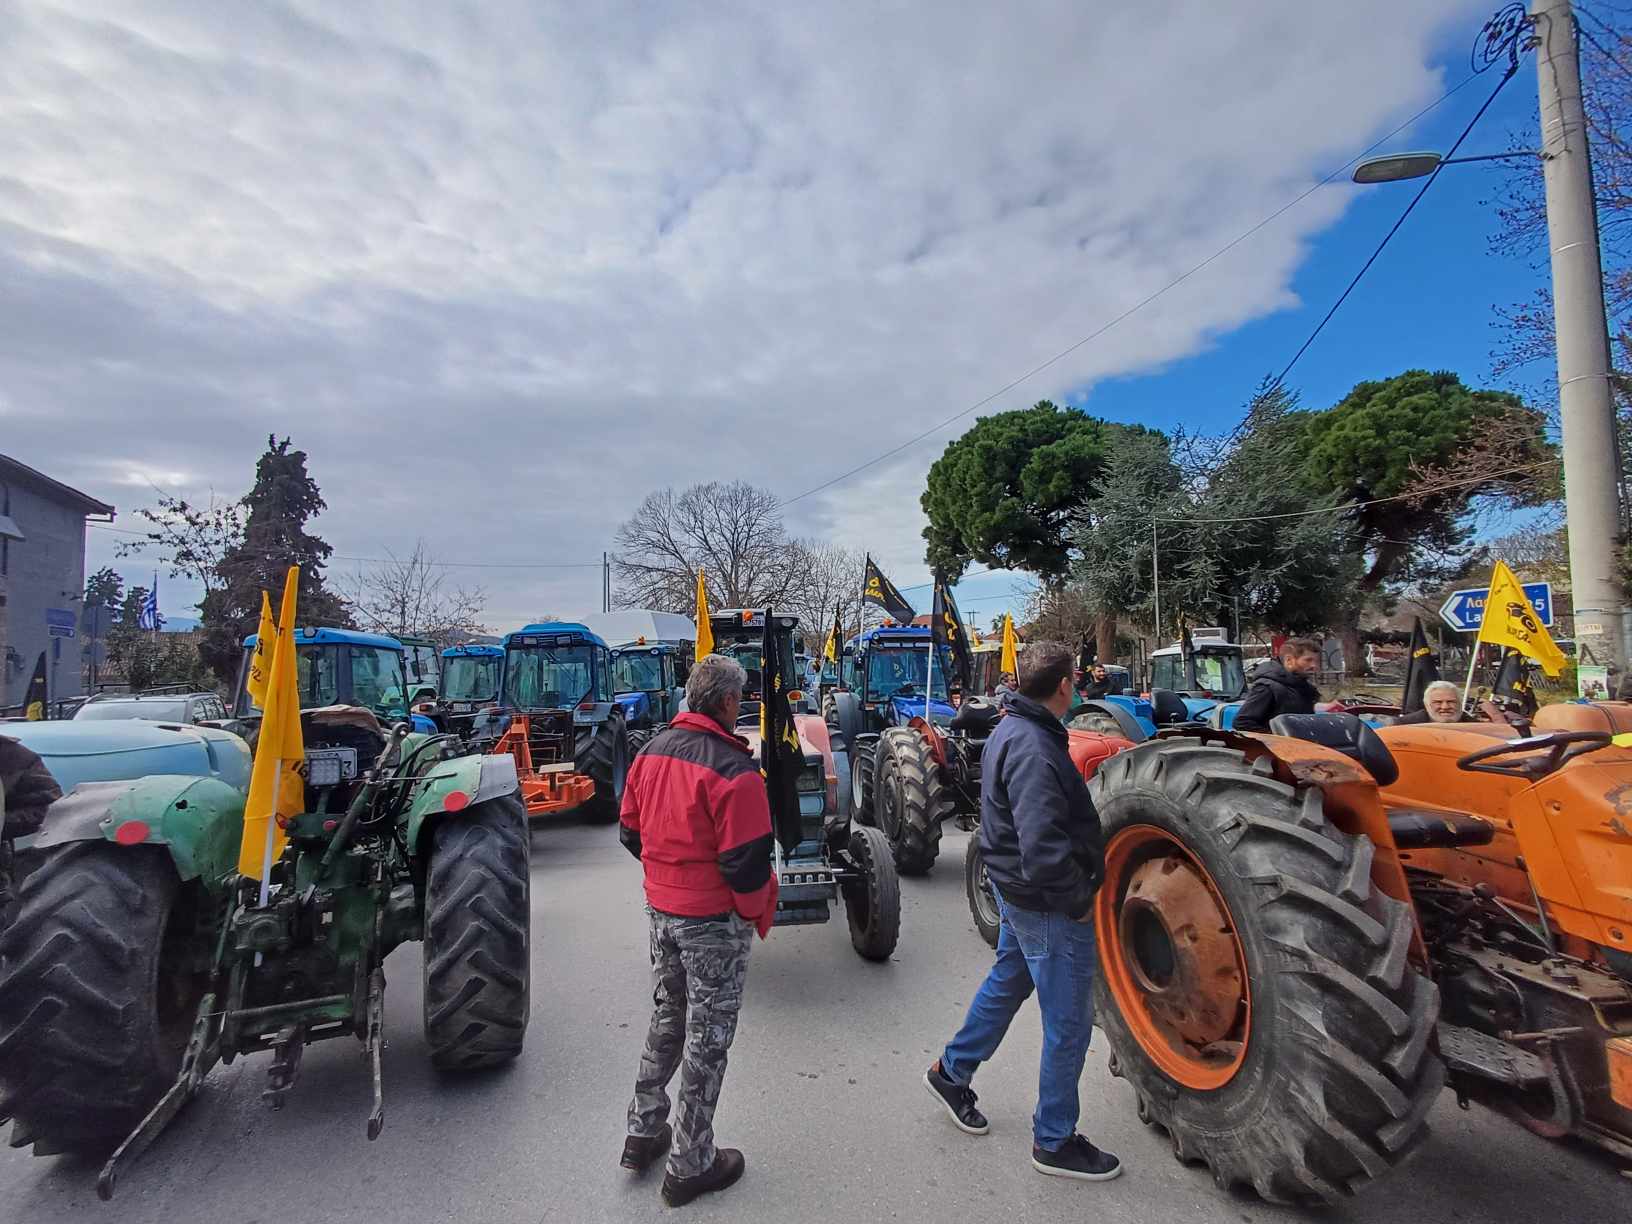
<point x="1040" y="838"/>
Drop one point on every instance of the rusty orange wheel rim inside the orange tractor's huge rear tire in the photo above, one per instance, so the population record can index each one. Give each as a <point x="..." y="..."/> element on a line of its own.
<point x="1173" y="959"/>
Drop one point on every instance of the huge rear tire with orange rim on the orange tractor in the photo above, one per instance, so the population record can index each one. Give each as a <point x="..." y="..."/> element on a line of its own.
<point x="1254" y="983"/>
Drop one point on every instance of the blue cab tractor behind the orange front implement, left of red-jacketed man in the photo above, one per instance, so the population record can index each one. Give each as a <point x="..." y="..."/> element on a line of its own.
<point x="561" y="676"/>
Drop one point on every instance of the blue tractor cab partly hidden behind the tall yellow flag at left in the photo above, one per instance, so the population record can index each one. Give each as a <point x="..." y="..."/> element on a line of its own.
<point x="342" y="667"/>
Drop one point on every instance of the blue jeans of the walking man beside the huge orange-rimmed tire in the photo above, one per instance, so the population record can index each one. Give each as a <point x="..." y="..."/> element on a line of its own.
<point x="1055" y="957"/>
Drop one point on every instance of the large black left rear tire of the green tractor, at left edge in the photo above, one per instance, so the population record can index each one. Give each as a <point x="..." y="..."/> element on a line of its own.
<point x="94" y="1014"/>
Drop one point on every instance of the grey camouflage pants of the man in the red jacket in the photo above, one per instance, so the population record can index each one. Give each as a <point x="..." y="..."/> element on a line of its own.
<point x="699" y="967"/>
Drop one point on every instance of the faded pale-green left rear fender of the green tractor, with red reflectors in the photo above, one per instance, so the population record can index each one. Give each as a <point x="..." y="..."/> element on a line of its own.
<point x="198" y="820"/>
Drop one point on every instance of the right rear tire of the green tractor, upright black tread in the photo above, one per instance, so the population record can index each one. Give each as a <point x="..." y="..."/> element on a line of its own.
<point x="477" y="918"/>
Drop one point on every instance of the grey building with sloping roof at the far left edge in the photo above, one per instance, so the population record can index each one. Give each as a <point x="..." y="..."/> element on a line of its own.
<point x="42" y="579"/>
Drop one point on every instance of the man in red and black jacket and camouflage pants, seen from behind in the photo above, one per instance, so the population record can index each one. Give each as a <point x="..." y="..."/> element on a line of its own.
<point x="698" y="817"/>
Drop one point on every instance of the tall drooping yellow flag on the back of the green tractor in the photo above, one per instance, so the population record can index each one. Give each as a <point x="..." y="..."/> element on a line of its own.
<point x="278" y="778"/>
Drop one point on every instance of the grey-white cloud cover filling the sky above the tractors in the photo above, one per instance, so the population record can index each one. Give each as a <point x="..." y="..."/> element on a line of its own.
<point x="505" y="268"/>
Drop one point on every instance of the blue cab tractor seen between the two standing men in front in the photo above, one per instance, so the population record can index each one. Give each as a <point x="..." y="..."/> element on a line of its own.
<point x="915" y="758"/>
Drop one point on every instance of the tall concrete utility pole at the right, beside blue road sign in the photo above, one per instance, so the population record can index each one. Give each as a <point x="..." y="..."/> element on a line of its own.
<point x="1585" y="402"/>
